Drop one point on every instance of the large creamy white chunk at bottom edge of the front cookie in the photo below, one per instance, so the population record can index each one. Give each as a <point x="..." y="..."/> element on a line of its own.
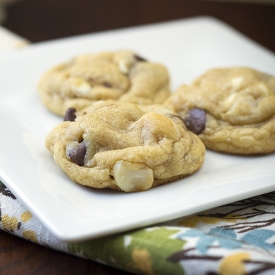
<point x="132" y="180"/>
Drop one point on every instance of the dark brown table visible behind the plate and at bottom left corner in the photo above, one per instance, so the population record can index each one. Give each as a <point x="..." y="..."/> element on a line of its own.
<point x="51" y="19"/>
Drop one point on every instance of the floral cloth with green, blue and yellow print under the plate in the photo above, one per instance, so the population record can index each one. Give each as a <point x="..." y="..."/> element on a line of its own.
<point x="237" y="238"/>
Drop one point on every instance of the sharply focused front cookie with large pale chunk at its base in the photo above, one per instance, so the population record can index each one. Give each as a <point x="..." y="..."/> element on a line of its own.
<point x="125" y="147"/>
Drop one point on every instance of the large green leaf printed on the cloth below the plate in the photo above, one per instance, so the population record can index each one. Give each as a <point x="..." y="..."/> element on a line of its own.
<point x="143" y="251"/>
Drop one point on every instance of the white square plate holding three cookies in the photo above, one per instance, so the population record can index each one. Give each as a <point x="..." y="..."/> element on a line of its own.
<point x="73" y="212"/>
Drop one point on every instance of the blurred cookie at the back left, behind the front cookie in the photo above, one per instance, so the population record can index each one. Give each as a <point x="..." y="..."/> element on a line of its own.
<point x="121" y="75"/>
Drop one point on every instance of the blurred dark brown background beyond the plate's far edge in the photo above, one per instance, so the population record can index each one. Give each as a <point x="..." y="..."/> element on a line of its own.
<point x="41" y="20"/>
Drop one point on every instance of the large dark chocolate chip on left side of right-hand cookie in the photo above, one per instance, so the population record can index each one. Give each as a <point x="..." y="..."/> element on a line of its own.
<point x="195" y="120"/>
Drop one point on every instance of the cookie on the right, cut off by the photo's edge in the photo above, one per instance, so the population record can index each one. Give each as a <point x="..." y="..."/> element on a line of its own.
<point x="232" y="110"/>
